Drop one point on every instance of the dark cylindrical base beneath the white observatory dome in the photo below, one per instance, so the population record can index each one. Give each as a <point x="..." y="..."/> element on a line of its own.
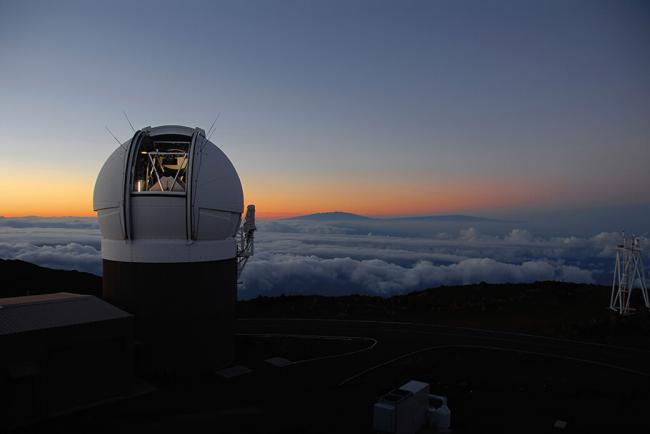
<point x="184" y="312"/>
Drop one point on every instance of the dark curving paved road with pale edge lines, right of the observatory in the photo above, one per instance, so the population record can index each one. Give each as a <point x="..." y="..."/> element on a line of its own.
<point x="389" y="341"/>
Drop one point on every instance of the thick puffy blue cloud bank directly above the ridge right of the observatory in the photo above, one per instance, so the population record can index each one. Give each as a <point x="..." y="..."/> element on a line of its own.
<point x="290" y="274"/>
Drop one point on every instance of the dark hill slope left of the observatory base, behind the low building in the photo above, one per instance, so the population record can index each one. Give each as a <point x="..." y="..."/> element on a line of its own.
<point x="24" y="278"/>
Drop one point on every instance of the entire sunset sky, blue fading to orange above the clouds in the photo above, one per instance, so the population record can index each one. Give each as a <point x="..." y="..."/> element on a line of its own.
<point x="379" y="108"/>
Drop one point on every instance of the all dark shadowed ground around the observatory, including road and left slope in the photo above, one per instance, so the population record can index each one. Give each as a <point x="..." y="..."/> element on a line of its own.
<point x="340" y="353"/>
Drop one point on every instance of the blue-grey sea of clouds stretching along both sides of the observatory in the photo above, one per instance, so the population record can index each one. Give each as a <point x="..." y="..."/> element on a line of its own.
<point x="335" y="258"/>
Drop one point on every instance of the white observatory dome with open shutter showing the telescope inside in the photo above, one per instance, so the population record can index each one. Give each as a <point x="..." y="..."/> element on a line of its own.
<point x="168" y="195"/>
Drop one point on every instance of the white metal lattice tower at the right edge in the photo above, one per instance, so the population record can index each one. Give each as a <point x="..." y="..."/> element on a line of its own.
<point x="628" y="270"/>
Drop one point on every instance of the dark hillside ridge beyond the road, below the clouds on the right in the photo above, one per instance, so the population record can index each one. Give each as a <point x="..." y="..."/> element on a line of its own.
<point x="558" y="309"/>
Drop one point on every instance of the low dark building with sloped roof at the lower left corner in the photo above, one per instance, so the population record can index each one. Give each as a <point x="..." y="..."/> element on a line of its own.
<point x="60" y="352"/>
